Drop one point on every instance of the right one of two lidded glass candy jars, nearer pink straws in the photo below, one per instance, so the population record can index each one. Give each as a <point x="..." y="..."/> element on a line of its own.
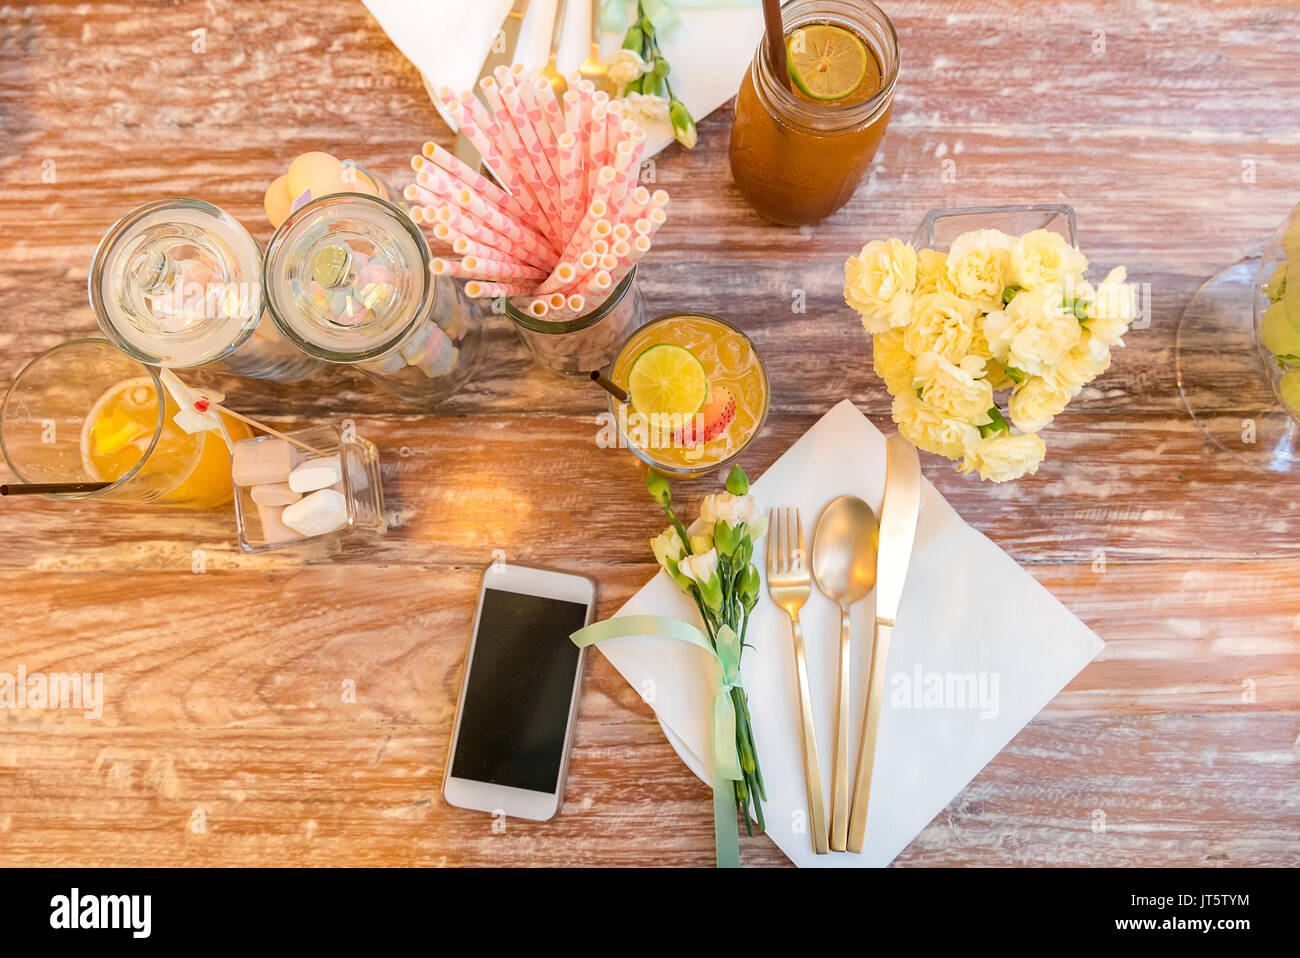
<point x="348" y="281"/>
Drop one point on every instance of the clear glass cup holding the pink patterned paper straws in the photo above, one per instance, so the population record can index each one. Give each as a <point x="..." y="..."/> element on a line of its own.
<point x="590" y="343"/>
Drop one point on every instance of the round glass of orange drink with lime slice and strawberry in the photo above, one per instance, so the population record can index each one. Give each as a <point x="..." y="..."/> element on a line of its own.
<point x="697" y="393"/>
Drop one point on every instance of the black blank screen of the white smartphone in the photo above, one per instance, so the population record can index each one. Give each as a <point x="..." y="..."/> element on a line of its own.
<point x="515" y="713"/>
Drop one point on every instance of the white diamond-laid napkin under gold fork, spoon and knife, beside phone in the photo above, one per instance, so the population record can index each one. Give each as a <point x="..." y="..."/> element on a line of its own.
<point x="968" y="609"/>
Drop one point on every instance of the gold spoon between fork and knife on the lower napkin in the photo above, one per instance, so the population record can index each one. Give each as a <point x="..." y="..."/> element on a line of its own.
<point x="844" y="566"/>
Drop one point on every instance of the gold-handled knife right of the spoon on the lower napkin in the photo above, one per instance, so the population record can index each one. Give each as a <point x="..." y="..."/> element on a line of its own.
<point x="898" y="532"/>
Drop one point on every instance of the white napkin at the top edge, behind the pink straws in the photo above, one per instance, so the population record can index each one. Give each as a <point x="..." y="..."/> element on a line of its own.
<point x="448" y="41"/>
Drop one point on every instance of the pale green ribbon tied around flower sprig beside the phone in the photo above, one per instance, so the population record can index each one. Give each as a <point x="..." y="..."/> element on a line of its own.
<point x="726" y="760"/>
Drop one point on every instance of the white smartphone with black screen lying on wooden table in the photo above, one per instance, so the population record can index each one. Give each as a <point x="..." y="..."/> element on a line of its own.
<point x="519" y="700"/>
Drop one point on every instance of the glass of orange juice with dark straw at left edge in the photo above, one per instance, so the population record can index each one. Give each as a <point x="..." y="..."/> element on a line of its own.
<point x="85" y="413"/>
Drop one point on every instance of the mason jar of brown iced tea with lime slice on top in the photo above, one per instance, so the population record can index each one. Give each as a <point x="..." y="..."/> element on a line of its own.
<point x="801" y="144"/>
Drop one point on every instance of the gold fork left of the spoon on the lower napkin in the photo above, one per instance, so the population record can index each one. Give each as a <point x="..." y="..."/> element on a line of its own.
<point x="790" y="584"/>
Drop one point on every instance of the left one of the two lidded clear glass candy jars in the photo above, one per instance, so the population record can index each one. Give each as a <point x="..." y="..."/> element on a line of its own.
<point x="177" y="283"/>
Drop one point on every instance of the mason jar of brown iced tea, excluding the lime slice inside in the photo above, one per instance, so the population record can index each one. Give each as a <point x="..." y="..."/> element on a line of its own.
<point x="795" y="159"/>
